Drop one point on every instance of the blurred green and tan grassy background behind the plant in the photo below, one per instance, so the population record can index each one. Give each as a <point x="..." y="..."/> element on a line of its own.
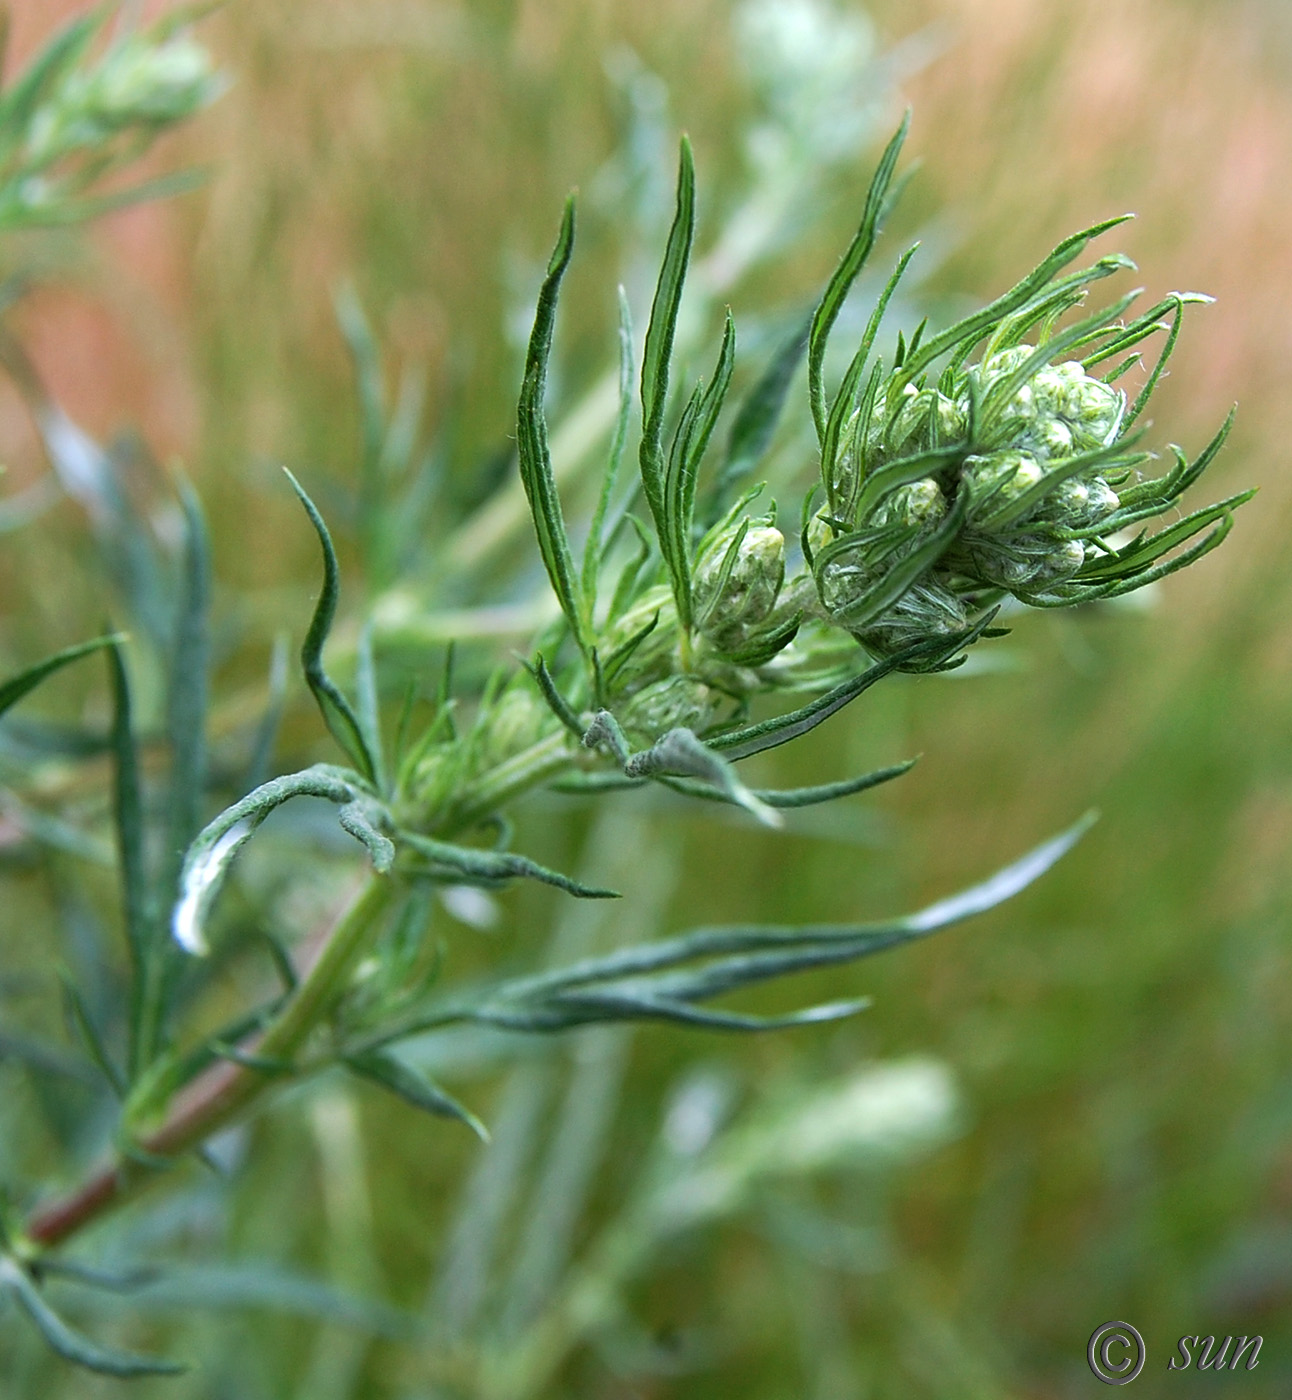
<point x="1121" y="1037"/>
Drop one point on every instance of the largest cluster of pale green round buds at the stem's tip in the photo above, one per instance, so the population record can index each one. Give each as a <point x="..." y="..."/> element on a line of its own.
<point x="1018" y="460"/>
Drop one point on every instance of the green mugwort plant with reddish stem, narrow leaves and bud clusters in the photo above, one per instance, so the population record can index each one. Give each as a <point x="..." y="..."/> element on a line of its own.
<point x="990" y="465"/>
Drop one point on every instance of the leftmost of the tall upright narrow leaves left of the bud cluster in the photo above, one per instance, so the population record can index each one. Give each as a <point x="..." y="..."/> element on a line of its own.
<point x="537" y="472"/>
